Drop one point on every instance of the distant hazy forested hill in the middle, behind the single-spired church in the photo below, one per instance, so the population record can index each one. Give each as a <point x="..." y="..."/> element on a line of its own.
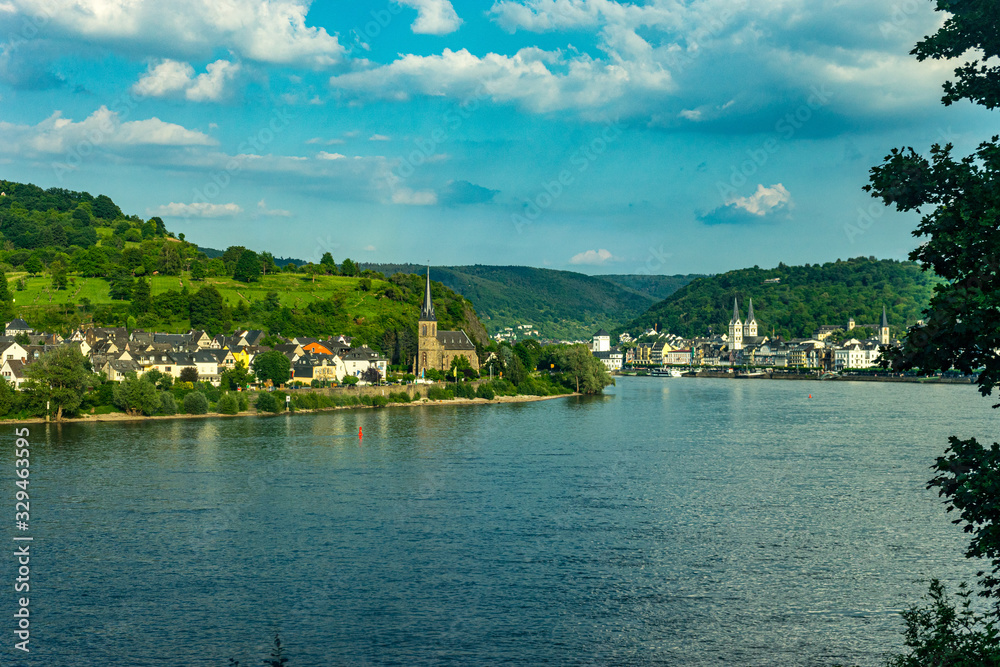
<point x="560" y="304"/>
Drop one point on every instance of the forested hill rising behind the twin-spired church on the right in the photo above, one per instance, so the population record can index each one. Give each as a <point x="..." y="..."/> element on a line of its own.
<point x="805" y="298"/>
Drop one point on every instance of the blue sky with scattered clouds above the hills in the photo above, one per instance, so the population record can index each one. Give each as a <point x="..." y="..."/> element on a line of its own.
<point x="589" y="135"/>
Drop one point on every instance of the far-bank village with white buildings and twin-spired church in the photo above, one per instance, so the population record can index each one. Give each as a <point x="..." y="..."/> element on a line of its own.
<point x="847" y="347"/>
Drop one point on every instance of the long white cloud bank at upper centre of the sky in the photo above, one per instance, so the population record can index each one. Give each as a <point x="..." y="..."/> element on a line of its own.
<point x="539" y="80"/>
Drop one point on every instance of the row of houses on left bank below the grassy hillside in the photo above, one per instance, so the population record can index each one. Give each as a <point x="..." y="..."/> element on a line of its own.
<point x="114" y="352"/>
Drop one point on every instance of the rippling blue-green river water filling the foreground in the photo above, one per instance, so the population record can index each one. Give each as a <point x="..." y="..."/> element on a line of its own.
<point x="666" y="522"/>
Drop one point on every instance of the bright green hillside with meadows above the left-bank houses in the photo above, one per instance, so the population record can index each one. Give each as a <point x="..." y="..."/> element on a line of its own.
<point x="72" y="258"/>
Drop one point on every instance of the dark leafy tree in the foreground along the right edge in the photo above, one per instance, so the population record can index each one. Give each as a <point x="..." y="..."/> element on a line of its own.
<point x="960" y="207"/>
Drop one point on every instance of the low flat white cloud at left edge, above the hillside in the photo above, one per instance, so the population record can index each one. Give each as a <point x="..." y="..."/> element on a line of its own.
<point x="103" y="129"/>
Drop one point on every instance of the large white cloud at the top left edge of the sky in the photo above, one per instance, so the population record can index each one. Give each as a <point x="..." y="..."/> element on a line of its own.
<point x="268" y="31"/>
